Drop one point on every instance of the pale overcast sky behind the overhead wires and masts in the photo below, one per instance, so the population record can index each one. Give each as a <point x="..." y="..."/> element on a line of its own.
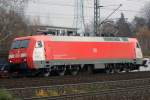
<point x="62" y="12"/>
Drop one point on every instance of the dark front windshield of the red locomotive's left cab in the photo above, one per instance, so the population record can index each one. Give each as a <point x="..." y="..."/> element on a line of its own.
<point x="20" y="44"/>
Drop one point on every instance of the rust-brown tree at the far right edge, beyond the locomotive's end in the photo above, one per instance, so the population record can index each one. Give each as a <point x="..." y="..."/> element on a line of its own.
<point x="142" y="29"/>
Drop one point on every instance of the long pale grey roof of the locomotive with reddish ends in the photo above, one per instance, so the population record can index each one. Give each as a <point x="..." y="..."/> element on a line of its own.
<point x="77" y="38"/>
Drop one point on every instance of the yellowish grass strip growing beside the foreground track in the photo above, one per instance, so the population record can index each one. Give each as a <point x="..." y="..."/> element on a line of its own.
<point x="55" y="91"/>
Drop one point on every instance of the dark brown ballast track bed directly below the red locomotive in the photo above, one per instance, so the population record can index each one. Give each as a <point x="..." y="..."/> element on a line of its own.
<point x="30" y="82"/>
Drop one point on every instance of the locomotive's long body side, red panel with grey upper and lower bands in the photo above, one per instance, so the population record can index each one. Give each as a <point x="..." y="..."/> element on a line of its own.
<point x="86" y="50"/>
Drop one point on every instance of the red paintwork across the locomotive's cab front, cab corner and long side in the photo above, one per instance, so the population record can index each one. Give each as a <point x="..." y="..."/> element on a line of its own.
<point x="61" y="50"/>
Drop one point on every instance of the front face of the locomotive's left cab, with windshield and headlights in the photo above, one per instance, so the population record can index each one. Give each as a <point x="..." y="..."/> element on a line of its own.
<point x="19" y="55"/>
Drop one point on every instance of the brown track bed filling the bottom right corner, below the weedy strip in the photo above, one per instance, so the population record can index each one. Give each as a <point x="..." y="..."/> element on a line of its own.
<point x="130" y="93"/>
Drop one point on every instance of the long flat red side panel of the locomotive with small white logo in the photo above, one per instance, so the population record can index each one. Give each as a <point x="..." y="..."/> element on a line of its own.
<point x="84" y="50"/>
